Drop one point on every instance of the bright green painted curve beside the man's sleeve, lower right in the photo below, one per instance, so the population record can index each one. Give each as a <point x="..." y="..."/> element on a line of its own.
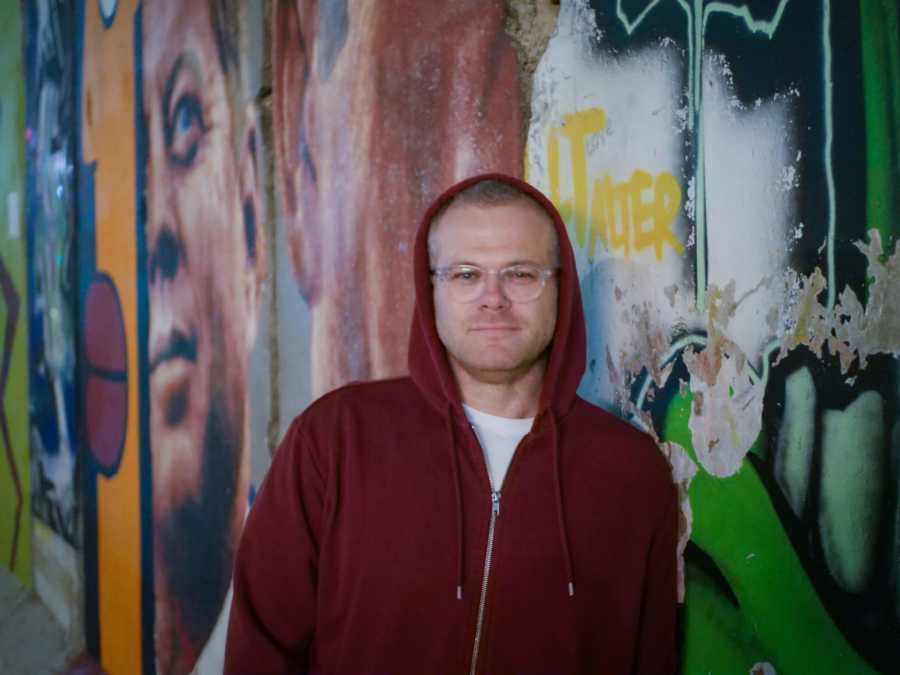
<point x="737" y="526"/>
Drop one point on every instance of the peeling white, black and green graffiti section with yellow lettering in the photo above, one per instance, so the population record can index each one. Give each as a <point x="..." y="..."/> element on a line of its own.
<point x="729" y="176"/>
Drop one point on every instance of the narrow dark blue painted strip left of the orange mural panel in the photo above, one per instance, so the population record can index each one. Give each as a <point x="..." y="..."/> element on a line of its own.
<point x="50" y="214"/>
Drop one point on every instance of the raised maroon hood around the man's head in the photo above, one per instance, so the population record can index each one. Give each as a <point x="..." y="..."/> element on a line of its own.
<point x="428" y="363"/>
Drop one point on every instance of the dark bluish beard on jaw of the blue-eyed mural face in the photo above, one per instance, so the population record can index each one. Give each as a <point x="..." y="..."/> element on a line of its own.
<point x="197" y="545"/>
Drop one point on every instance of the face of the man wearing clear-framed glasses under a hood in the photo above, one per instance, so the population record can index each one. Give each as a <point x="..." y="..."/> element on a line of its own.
<point x="492" y="338"/>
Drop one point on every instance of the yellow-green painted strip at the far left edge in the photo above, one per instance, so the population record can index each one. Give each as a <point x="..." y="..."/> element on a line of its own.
<point x="15" y="489"/>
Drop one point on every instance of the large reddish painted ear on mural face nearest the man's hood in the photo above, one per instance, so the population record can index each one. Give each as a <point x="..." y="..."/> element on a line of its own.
<point x="293" y="38"/>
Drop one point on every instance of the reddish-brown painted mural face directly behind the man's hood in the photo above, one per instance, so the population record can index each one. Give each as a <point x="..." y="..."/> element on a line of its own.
<point x="378" y="107"/>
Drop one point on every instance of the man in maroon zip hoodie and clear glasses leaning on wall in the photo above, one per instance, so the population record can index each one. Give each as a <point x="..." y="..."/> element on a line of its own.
<point x="389" y="535"/>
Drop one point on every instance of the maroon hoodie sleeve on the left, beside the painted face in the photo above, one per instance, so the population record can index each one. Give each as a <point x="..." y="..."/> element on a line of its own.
<point x="274" y="606"/>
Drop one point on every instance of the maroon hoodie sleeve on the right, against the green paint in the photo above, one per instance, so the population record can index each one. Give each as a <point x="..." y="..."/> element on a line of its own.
<point x="657" y="653"/>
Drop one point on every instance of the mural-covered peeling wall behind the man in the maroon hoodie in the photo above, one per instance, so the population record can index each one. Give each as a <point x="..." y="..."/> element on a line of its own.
<point x="220" y="203"/>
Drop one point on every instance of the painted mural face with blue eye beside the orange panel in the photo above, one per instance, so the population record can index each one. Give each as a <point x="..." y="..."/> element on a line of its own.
<point x="205" y="256"/>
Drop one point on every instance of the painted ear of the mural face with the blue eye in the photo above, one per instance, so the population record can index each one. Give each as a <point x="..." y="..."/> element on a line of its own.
<point x="253" y="219"/>
